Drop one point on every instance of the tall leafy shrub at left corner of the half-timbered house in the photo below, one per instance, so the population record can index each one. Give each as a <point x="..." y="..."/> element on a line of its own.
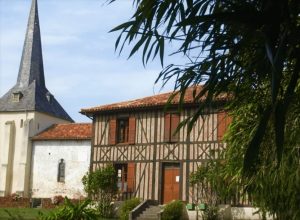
<point x="102" y="186"/>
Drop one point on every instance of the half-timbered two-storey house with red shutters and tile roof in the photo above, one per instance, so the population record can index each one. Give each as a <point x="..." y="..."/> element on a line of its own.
<point x="152" y="160"/>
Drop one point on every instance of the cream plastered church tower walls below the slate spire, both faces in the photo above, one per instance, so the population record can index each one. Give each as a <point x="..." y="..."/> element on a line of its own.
<point x="25" y="125"/>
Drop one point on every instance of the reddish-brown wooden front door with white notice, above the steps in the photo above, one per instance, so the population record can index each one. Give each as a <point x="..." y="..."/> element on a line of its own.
<point x="171" y="180"/>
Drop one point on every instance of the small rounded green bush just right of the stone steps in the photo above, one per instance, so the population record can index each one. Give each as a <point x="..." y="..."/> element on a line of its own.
<point x="173" y="211"/>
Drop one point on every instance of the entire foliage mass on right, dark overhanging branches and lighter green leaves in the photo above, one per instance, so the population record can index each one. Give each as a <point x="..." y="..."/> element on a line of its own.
<point x="248" y="50"/>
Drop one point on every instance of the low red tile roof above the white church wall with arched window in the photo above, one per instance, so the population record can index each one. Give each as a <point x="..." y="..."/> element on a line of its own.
<point x="72" y="131"/>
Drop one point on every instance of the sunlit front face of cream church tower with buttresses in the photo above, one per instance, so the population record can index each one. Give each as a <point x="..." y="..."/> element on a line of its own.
<point x="10" y="181"/>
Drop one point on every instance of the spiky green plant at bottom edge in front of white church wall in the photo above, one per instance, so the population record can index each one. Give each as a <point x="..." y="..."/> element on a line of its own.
<point x="70" y="211"/>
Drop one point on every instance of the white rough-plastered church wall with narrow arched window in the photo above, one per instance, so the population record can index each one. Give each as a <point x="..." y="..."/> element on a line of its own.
<point x="46" y="157"/>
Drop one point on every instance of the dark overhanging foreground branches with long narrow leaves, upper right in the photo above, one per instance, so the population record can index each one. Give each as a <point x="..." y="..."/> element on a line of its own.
<point x="234" y="47"/>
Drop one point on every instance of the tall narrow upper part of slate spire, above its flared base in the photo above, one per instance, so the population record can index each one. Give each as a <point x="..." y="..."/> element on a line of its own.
<point x="31" y="66"/>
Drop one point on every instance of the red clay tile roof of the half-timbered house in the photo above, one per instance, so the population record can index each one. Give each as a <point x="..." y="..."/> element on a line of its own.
<point x="151" y="101"/>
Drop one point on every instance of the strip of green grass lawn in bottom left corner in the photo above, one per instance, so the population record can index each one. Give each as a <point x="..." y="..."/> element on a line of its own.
<point x="21" y="213"/>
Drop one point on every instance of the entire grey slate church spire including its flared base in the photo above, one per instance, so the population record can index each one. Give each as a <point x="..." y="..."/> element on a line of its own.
<point x="30" y="92"/>
